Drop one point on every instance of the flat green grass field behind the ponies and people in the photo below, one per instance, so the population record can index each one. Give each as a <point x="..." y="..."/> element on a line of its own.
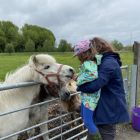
<point x="11" y="62"/>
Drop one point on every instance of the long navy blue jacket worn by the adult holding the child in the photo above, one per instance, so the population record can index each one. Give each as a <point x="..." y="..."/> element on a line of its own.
<point x="111" y="107"/>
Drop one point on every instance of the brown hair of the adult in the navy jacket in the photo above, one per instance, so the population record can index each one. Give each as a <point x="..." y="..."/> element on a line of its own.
<point x="102" y="45"/>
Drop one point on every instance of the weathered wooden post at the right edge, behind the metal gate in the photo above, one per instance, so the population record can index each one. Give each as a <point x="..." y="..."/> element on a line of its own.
<point x="136" y="49"/>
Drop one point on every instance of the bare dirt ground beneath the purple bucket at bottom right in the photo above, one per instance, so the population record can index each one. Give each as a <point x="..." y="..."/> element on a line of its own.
<point x="126" y="132"/>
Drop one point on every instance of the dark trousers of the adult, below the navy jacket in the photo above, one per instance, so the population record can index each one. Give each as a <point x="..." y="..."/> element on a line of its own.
<point x="107" y="131"/>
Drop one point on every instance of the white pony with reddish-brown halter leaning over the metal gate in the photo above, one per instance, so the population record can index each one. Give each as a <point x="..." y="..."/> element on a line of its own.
<point x="41" y="68"/>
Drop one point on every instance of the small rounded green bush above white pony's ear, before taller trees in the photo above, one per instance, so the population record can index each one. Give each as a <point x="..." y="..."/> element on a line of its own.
<point x="30" y="46"/>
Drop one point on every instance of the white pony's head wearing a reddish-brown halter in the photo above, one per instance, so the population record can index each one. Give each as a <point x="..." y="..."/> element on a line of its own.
<point x="48" y="71"/>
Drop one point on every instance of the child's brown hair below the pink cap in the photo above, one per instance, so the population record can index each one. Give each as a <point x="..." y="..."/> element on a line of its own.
<point x="88" y="55"/>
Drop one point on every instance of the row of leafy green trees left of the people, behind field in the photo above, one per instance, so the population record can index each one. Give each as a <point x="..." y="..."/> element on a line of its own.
<point x="29" y="38"/>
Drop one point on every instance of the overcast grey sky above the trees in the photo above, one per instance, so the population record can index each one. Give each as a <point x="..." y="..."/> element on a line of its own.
<point x="78" y="19"/>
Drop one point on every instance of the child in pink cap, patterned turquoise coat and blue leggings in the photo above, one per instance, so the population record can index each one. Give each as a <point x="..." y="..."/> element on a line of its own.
<point x="88" y="73"/>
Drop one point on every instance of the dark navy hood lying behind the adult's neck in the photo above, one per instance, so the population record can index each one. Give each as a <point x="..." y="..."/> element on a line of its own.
<point x="114" y="55"/>
